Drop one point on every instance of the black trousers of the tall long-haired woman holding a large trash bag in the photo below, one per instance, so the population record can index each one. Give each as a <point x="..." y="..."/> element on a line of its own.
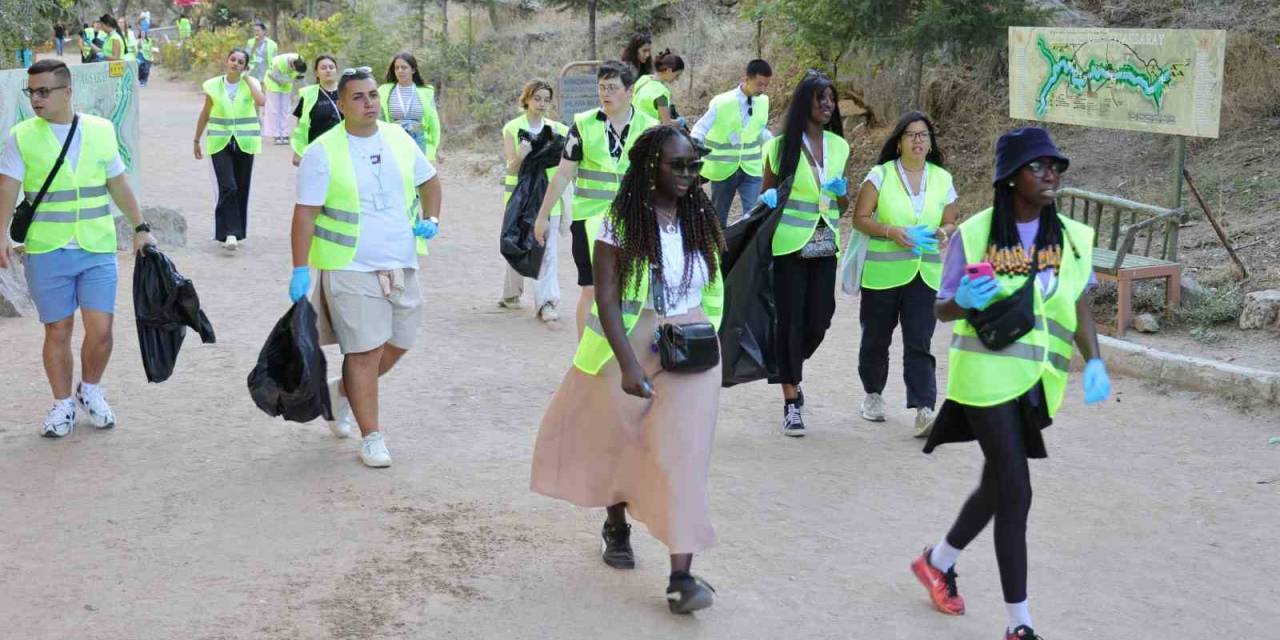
<point x="804" y="294"/>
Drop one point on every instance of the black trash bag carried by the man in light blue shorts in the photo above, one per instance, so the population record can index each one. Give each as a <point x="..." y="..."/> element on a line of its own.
<point x="164" y="305"/>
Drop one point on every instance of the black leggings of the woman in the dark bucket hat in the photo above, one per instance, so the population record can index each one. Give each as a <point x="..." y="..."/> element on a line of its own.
<point x="1005" y="493"/>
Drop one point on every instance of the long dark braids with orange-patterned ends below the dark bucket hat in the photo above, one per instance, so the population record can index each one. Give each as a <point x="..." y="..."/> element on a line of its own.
<point x="1004" y="246"/>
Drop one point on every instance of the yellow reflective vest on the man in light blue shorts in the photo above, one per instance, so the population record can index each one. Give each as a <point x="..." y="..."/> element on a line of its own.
<point x="77" y="204"/>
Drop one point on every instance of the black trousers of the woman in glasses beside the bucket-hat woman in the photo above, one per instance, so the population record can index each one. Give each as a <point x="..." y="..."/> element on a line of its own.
<point x="880" y="314"/>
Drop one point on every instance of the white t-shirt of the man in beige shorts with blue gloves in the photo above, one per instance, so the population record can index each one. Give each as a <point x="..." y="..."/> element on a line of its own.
<point x="386" y="237"/>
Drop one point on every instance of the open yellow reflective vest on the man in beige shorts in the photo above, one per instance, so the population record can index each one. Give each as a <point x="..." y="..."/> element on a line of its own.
<point x="337" y="232"/>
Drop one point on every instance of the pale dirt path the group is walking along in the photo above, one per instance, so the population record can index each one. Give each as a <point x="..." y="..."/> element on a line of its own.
<point x="200" y="518"/>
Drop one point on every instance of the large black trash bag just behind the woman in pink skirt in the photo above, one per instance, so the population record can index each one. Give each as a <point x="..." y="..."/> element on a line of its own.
<point x="751" y="318"/>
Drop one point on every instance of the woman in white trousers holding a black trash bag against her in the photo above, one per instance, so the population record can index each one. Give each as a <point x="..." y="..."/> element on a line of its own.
<point x="528" y="144"/>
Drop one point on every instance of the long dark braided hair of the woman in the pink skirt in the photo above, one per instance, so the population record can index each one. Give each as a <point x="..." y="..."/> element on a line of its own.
<point x="636" y="225"/>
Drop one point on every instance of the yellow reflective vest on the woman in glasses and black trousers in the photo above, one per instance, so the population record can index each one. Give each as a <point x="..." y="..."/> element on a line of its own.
<point x="889" y="264"/>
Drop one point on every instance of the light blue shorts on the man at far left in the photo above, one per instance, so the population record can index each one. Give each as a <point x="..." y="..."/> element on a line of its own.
<point x="68" y="278"/>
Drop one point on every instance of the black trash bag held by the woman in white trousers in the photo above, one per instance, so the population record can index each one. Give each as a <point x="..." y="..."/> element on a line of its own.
<point x="516" y="243"/>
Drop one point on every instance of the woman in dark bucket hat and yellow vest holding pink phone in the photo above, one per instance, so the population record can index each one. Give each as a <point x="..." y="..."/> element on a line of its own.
<point x="1004" y="397"/>
